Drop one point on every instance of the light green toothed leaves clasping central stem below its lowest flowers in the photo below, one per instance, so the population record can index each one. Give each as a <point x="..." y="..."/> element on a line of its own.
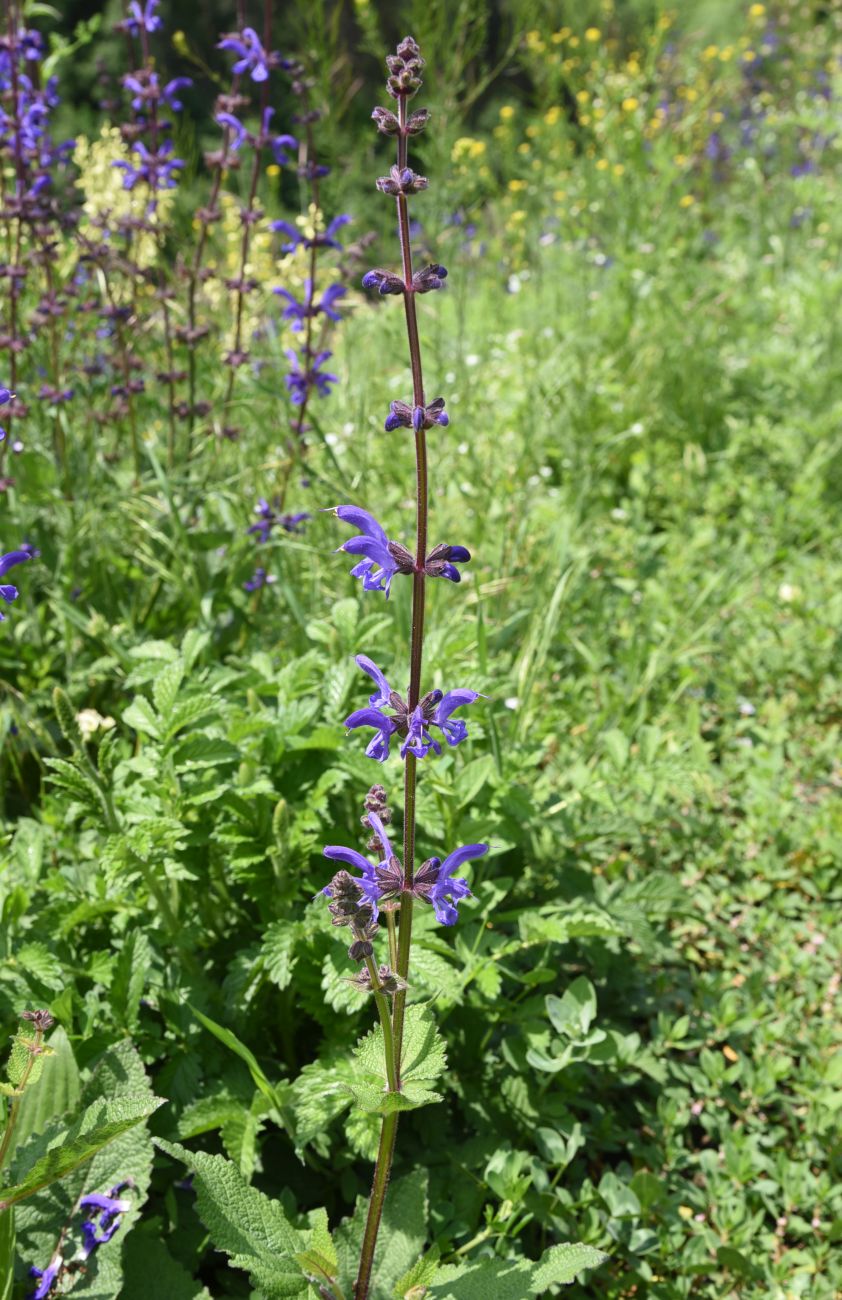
<point x="424" y="1060"/>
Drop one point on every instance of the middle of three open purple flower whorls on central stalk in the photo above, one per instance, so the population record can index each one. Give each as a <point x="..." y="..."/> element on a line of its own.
<point x="414" y="726"/>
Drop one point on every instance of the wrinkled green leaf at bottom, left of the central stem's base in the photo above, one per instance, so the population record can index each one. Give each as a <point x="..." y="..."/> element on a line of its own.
<point x="245" y="1224"/>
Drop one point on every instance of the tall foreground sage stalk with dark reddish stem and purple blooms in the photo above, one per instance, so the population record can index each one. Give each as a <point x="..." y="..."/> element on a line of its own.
<point x="385" y="883"/>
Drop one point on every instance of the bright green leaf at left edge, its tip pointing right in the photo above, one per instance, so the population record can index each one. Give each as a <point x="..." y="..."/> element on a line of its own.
<point x="99" y="1124"/>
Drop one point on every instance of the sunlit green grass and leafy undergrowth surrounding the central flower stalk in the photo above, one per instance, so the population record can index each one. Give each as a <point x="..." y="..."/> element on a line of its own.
<point x="641" y="1002"/>
